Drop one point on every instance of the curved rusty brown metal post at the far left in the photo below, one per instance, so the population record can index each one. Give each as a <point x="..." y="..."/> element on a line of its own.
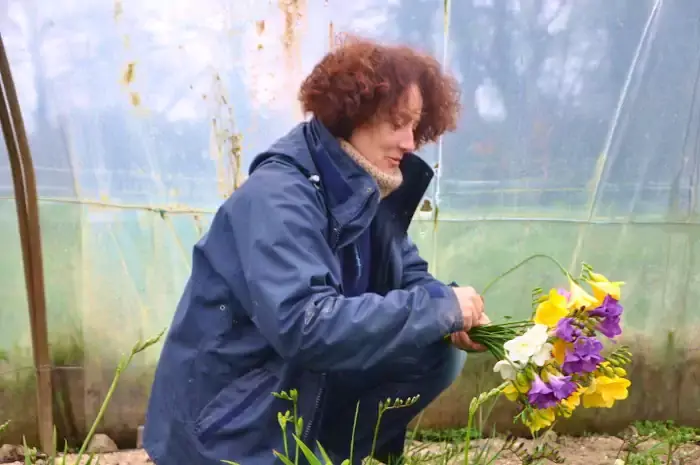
<point x="30" y="234"/>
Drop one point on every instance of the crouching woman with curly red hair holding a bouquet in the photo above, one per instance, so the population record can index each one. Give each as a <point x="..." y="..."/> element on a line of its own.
<point x="307" y="279"/>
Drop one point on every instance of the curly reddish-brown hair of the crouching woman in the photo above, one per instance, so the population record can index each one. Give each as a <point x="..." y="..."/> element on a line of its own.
<point x="361" y="81"/>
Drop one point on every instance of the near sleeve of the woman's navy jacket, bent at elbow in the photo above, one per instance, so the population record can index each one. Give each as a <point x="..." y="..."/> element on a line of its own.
<point x="269" y="245"/>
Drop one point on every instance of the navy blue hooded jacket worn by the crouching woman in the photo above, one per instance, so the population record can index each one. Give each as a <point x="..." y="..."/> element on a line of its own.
<point x="266" y="307"/>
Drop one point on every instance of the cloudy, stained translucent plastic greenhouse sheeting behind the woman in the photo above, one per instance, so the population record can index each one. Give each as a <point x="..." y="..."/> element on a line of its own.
<point x="578" y="138"/>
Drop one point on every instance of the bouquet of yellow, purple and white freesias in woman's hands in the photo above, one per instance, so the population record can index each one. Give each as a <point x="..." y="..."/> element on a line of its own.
<point x="553" y="362"/>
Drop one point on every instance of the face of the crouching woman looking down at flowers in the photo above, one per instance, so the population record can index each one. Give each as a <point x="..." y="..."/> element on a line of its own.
<point x="384" y="143"/>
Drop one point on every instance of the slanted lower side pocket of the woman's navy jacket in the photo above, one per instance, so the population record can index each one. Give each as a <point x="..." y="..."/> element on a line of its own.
<point x="227" y="410"/>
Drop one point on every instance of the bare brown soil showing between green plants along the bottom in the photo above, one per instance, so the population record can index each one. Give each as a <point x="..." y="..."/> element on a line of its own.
<point x="601" y="450"/>
